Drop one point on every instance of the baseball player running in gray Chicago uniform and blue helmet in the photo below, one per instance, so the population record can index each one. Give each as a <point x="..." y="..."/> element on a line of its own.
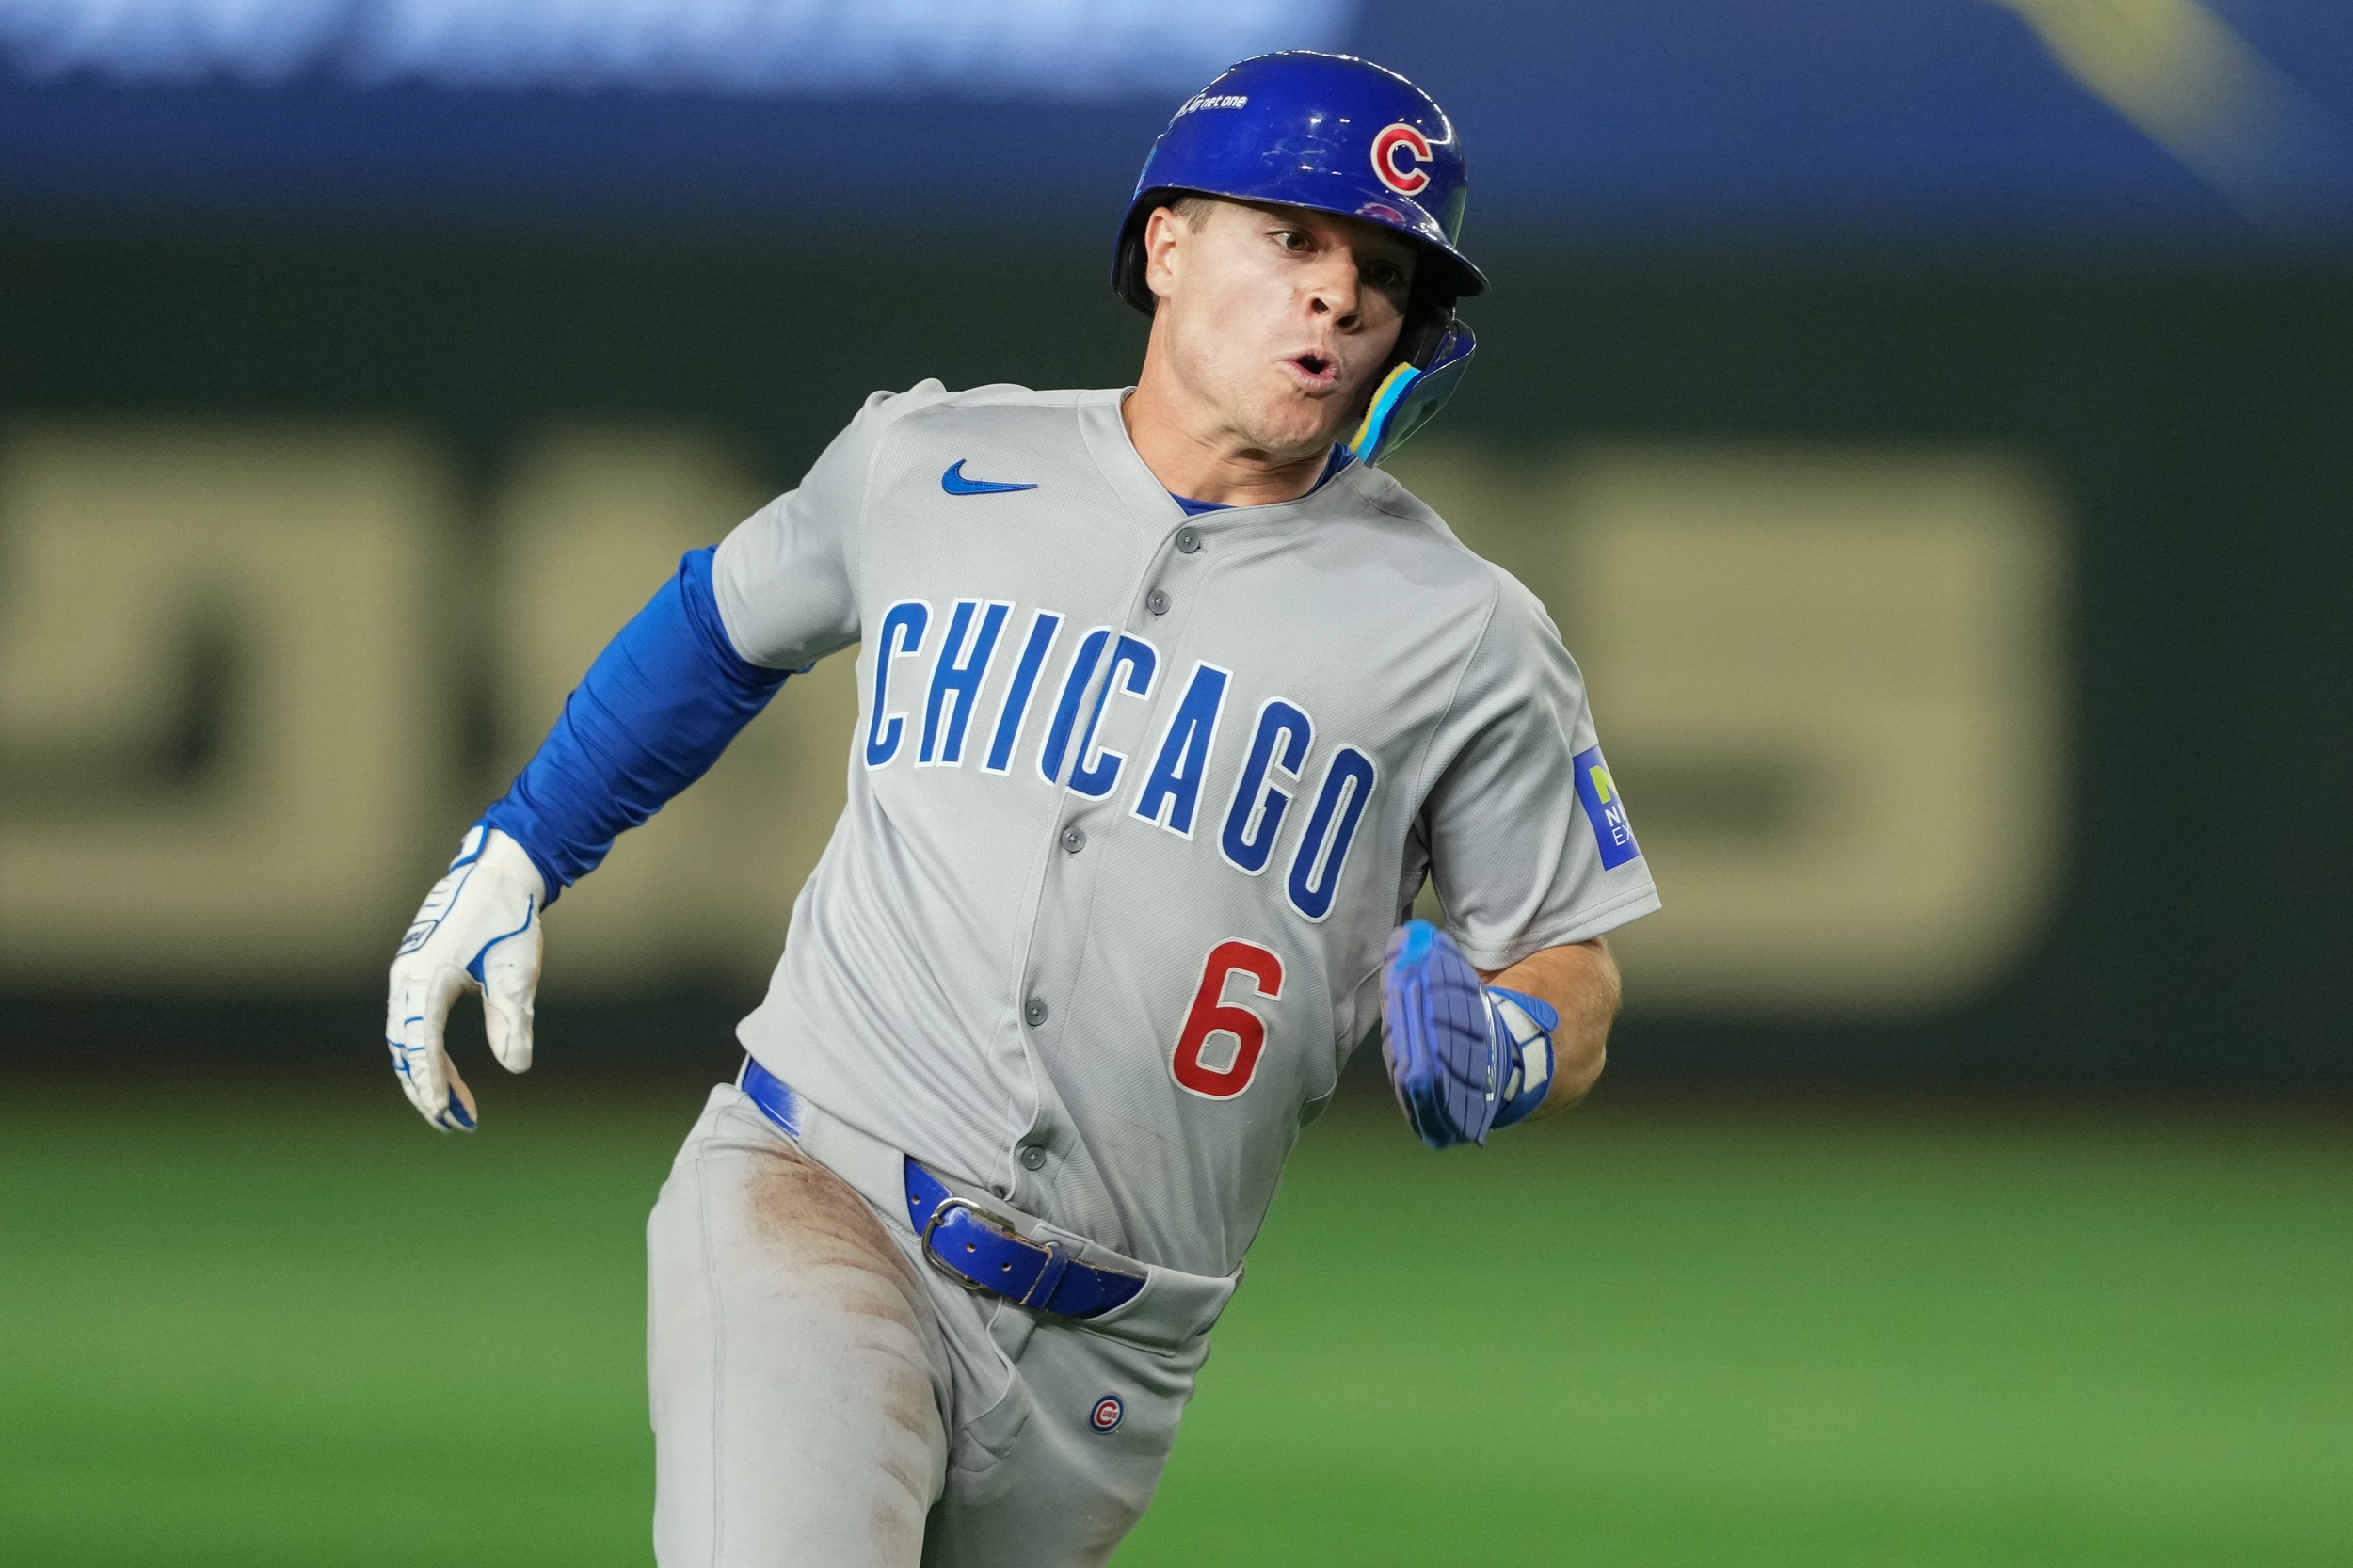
<point x="1171" y="703"/>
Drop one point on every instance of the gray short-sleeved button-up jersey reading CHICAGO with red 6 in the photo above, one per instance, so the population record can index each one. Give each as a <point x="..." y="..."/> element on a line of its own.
<point x="1135" y="802"/>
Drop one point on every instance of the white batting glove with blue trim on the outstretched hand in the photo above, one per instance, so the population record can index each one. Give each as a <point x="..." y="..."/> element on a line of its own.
<point x="479" y="931"/>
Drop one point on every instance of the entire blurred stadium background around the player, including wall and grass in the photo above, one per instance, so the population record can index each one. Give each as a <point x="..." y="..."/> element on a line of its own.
<point x="1928" y="420"/>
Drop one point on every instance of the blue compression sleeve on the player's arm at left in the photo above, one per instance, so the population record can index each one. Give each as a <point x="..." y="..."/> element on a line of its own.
<point x="648" y="719"/>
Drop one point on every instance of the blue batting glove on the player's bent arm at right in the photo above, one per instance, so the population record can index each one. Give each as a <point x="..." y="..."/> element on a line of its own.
<point x="1465" y="1058"/>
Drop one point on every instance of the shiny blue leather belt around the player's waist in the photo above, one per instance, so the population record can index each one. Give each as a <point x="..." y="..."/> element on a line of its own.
<point x="966" y="1242"/>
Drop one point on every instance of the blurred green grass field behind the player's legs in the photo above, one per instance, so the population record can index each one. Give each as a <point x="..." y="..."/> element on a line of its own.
<point x="307" y="1331"/>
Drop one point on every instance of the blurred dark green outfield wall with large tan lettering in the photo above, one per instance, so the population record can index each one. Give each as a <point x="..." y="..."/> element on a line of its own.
<point x="1971" y="642"/>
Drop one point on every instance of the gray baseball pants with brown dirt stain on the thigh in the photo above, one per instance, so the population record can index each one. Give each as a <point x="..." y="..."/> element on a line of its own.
<point x="827" y="1397"/>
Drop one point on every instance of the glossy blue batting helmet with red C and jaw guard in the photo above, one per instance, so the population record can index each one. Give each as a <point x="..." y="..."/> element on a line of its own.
<point x="1338" y="135"/>
